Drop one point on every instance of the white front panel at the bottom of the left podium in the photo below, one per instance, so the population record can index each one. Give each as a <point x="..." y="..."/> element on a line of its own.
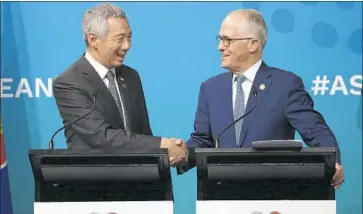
<point x="130" y="207"/>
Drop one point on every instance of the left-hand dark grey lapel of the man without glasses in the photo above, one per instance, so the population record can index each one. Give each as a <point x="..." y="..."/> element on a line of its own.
<point x="103" y="94"/>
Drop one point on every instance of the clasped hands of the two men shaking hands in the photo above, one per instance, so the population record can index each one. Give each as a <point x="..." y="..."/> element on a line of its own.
<point x="178" y="152"/>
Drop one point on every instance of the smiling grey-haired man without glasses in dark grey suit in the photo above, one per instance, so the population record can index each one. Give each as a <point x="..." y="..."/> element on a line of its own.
<point x="120" y="117"/>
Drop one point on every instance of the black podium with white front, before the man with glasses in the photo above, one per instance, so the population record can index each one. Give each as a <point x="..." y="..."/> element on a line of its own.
<point x="272" y="181"/>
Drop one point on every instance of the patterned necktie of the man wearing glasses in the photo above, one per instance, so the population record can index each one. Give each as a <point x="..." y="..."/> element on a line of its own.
<point x="239" y="107"/>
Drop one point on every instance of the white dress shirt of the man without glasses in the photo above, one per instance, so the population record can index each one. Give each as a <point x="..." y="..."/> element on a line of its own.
<point x="102" y="71"/>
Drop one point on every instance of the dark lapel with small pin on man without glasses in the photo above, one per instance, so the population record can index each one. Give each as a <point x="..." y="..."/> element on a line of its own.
<point x="124" y="91"/>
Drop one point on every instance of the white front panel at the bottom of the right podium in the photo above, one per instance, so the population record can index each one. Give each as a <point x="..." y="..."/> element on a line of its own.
<point x="266" y="207"/>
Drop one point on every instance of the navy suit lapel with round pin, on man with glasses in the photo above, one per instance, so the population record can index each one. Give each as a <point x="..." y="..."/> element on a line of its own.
<point x="262" y="84"/>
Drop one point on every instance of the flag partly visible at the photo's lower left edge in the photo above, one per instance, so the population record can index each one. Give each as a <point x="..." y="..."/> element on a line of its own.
<point x="5" y="199"/>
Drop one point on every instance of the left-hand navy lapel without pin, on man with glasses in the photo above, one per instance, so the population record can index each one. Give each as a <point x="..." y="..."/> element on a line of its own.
<point x="225" y="89"/>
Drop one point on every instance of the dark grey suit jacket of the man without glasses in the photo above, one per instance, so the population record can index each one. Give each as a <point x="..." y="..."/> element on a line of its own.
<point x="103" y="128"/>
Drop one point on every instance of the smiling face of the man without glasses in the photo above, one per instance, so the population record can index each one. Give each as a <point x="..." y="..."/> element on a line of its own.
<point x="111" y="49"/>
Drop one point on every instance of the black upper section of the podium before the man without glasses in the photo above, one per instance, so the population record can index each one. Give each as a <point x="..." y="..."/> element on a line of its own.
<point x="101" y="176"/>
